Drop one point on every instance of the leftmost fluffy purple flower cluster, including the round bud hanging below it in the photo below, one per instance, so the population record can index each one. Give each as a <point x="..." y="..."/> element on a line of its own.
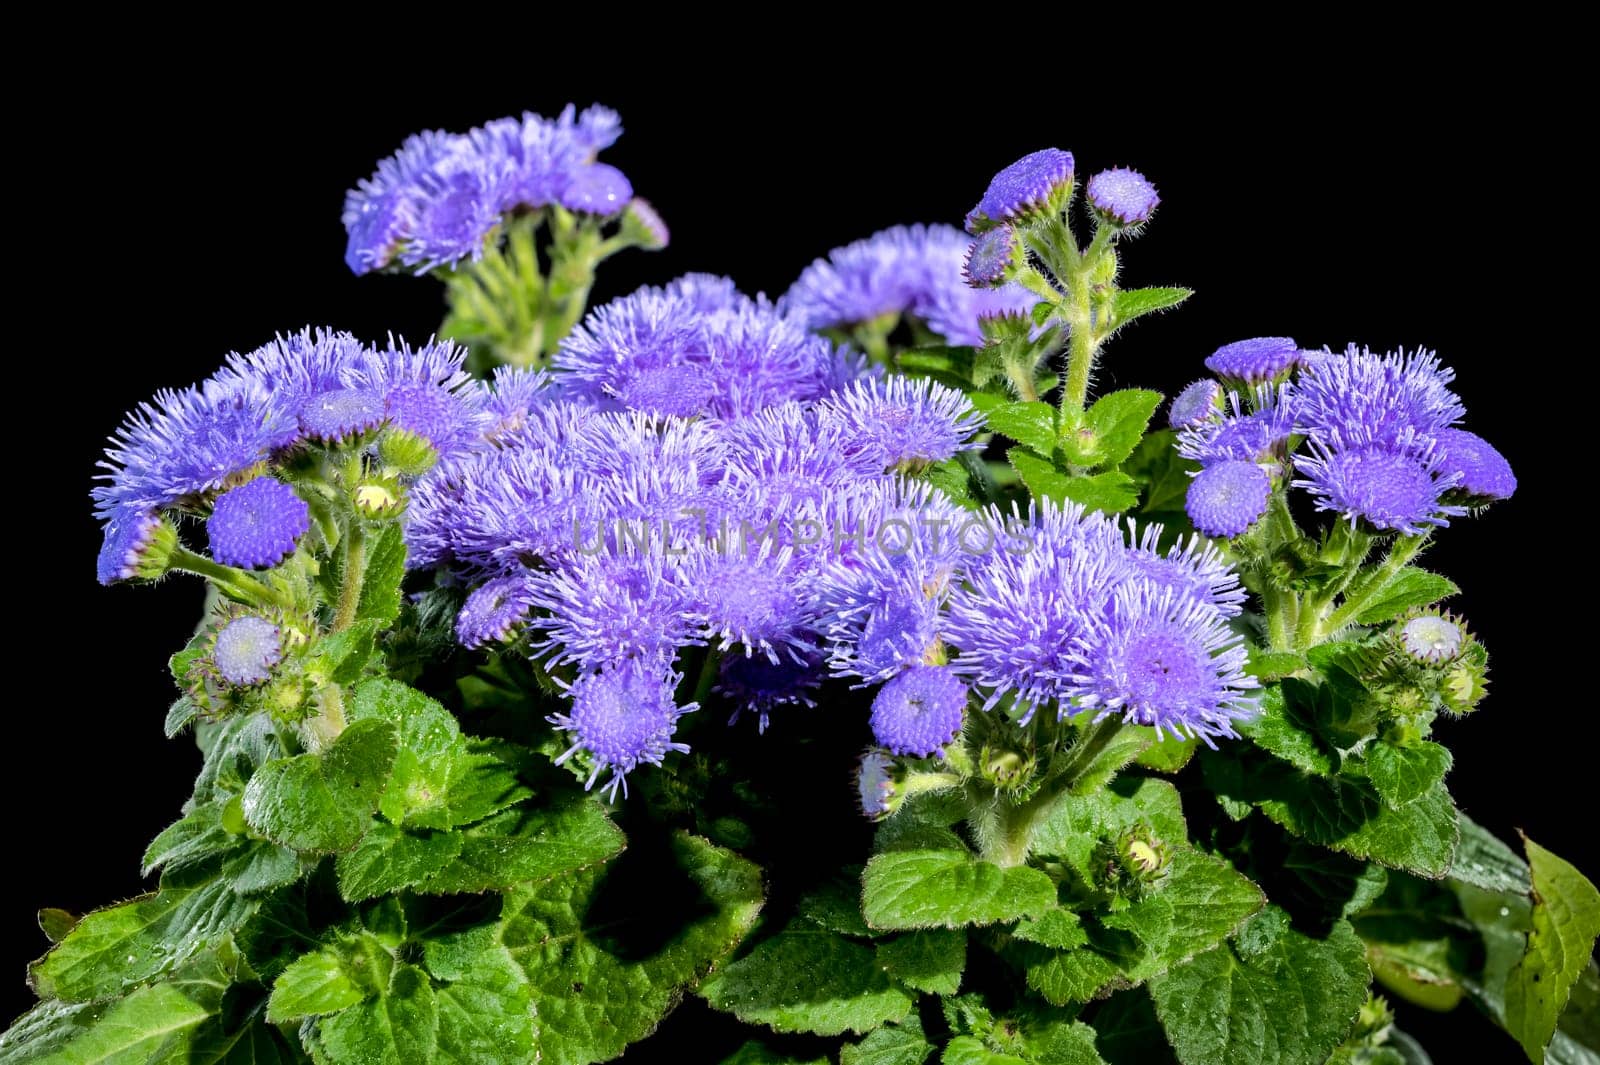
<point x="207" y="452"/>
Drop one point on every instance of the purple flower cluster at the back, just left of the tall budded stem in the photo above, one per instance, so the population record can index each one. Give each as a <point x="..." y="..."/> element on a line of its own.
<point x="918" y="271"/>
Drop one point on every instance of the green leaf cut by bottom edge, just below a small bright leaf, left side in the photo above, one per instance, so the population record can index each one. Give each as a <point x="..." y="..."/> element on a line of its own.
<point x="399" y="1027"/>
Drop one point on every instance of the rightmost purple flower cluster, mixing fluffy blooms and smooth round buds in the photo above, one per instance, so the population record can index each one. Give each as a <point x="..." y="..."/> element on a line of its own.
<point x="1382" y="445"/>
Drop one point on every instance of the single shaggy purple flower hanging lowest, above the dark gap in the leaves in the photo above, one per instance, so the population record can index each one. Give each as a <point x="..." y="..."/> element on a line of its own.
<point x="623" y="717"/>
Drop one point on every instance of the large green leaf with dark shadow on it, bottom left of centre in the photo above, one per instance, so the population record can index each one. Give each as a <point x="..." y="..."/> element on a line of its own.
<point x="591" y="999"/>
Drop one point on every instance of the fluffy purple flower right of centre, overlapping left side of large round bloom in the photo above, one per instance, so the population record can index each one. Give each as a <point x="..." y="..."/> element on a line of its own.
<point x="1025" y="610"/>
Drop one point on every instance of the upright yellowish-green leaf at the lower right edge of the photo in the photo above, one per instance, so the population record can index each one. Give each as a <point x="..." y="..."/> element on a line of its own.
<point x="1566" y="925"/>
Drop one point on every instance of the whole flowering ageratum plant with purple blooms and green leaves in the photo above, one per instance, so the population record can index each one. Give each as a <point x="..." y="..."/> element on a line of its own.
<point x="526" y="644"/>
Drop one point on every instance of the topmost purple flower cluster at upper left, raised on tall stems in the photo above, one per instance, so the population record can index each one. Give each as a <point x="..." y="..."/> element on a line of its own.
<point x="441" y="197"/>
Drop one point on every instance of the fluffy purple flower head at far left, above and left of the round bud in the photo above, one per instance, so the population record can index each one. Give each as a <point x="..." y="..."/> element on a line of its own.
<point x="190" y="444"/>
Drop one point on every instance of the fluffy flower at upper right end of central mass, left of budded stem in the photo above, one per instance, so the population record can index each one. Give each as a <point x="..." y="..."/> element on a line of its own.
<point x="902" y="421"/>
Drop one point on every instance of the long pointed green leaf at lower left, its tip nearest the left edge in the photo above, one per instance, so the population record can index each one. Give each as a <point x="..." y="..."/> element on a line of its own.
<point x="114" y="949"/>
